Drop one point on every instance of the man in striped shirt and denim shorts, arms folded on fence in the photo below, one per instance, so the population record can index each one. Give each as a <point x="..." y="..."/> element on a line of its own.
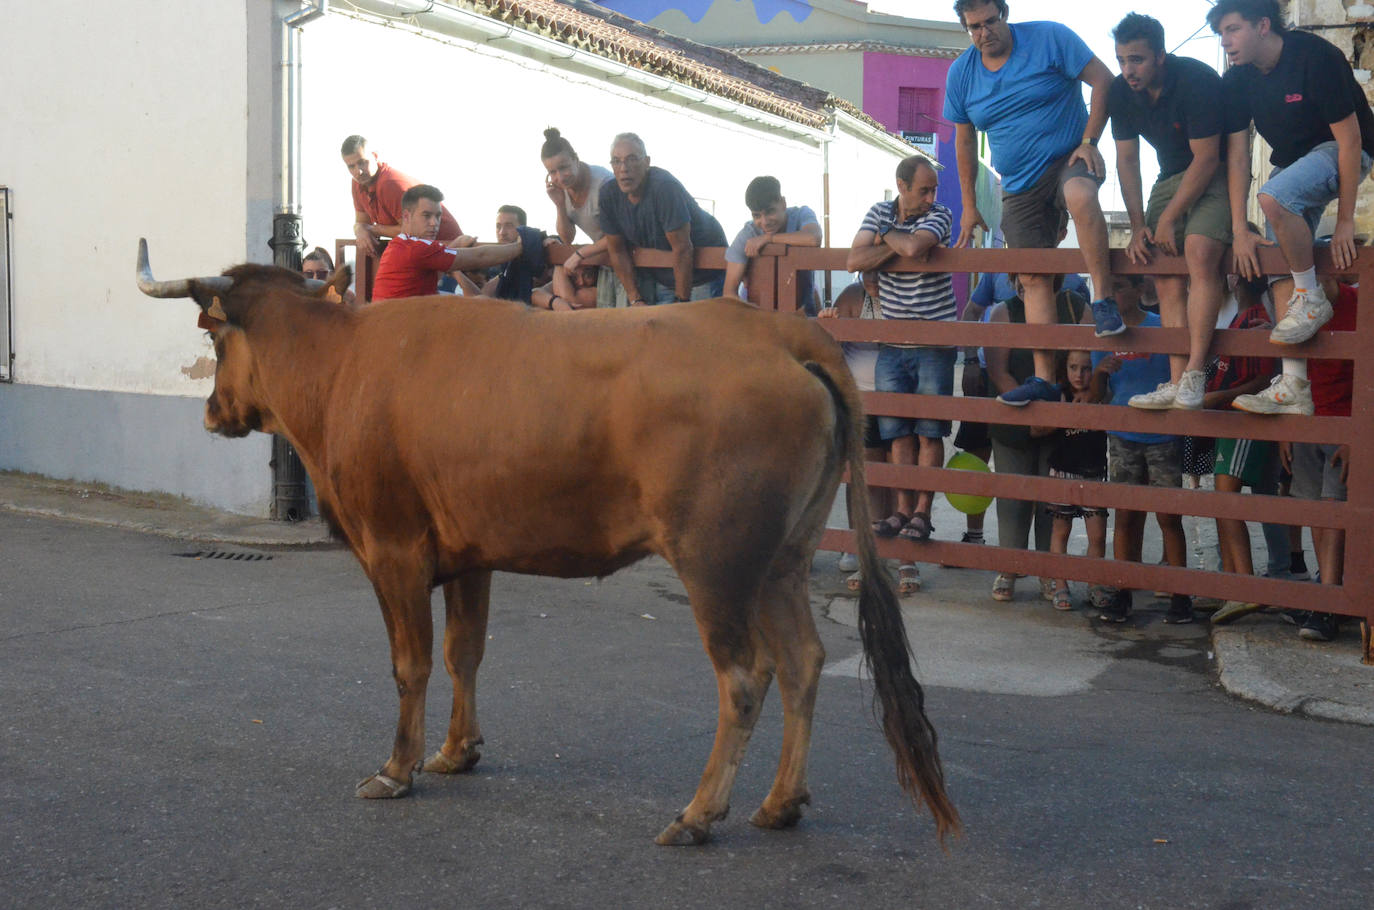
<point x="910" y="226"/>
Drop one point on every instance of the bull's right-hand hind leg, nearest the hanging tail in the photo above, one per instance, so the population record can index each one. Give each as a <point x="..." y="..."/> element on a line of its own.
<point x="799" y="656"/>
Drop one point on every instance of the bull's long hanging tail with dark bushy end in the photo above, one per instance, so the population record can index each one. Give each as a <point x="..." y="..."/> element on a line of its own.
<point x="898" y="698"/>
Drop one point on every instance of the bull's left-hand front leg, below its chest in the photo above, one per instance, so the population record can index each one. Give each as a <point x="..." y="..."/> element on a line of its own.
<point x="405" y="595"/>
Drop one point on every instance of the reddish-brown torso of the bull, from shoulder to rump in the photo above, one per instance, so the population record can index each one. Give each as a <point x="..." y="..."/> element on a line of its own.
<point x="574" y="443"/>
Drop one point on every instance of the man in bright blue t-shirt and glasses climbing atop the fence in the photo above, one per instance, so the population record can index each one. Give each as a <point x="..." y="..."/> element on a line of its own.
<point x="1023" y="86"/>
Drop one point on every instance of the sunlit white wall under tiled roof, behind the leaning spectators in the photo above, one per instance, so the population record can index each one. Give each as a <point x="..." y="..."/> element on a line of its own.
<point x="472" y="124"/>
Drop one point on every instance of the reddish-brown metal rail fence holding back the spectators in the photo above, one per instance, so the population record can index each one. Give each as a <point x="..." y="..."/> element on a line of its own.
<point x="773" y="281"/>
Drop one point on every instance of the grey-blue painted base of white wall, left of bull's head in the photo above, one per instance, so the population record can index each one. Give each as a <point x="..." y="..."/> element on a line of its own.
<point x="135" y="442"/>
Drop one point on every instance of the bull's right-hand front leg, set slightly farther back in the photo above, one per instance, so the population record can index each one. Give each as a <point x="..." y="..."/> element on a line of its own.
<point x="465" y="641"/>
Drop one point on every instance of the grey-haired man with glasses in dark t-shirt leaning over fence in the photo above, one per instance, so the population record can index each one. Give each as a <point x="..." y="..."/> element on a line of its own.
<point x="648" y="208"/>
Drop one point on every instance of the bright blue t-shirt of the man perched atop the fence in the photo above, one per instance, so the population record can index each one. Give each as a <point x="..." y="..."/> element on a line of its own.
<point x="1033" y="108"/>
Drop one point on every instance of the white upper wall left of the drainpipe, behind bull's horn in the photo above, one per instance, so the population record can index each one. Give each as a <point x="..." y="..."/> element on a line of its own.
<point x="127" y="122"/>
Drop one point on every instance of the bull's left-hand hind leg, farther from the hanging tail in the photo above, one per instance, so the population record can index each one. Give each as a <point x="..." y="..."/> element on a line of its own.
<point x="744" y="670"/>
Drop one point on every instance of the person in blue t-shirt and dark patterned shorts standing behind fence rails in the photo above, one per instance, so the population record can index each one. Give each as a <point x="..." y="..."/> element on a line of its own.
<point x="1153" y="460"/>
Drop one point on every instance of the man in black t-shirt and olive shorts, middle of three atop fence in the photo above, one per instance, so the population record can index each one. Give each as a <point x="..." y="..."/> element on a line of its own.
<point x="1175" y="104"/>
